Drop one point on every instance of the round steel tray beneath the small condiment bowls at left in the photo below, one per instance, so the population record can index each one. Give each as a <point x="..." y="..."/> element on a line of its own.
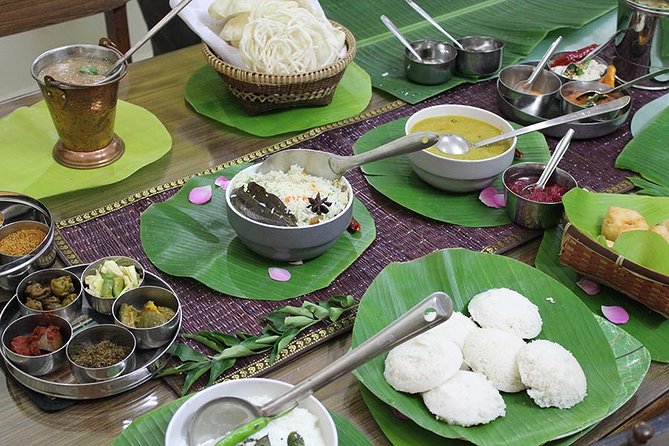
<point x="61" y="383"/>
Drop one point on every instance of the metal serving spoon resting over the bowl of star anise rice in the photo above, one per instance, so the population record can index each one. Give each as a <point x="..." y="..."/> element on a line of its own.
<point x="327" y="165"/>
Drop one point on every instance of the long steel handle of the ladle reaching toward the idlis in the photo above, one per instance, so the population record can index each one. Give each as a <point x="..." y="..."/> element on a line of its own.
<point x="433" y="310"/>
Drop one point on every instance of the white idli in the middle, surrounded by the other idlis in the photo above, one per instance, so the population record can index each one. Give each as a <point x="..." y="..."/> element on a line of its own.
<point x="493" y="352"/>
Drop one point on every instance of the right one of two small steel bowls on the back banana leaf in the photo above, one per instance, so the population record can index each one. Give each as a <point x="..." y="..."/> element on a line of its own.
<point x="481" y="56"/>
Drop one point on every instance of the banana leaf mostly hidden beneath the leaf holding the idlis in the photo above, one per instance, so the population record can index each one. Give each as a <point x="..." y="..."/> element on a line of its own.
<point x="632" y="362"/>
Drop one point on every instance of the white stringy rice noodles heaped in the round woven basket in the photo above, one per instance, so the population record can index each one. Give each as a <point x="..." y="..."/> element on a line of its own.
<point x="282" y="37"/>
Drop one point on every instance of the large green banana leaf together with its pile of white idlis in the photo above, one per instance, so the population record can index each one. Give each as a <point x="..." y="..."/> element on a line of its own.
<point x="522" y="361"/>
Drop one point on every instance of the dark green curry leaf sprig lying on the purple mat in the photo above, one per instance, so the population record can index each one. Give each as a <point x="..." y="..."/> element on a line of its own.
<point x="279" y="329"/>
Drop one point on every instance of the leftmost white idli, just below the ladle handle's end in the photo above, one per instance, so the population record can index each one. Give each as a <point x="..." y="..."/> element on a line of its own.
<point x="418" y="366"/>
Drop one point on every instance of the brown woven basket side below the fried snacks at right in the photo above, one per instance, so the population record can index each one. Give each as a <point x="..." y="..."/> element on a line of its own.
<point x="585" y="255"/>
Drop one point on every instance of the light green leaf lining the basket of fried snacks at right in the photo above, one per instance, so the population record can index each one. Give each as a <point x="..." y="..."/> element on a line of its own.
<point x="586" y="211"/>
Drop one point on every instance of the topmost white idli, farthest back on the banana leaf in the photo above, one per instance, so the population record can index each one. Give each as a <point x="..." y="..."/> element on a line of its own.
<point x="507" y="310"/>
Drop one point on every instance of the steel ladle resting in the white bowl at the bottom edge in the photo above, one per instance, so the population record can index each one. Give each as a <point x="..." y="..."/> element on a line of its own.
<point x="226" y="414"/>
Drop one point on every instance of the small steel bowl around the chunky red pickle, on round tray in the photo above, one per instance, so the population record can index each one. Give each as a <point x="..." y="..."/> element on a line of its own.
<point x="42" y="364"/>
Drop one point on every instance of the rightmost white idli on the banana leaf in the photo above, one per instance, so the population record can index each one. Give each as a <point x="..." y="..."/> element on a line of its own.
<point x="553" y="376"/>
